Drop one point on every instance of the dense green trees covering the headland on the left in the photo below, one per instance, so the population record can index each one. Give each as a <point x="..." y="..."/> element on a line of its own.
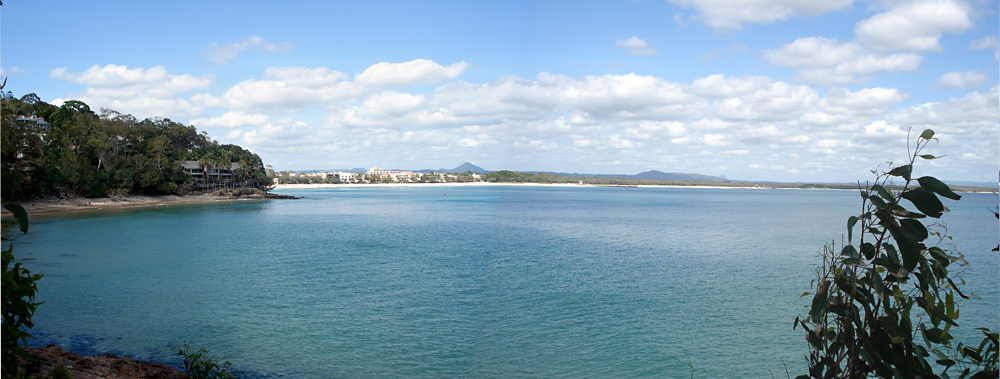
<point x="77" y="152"/>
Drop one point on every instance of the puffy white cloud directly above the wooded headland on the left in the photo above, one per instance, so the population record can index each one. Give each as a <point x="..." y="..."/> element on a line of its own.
<point x="143" y="92"/>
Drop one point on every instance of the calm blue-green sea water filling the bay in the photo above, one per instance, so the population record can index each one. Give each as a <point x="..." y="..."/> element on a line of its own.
<point x="486" y="282"/>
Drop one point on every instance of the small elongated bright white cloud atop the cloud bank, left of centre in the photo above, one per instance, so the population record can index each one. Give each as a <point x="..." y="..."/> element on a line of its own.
<point x="401" y="75"/>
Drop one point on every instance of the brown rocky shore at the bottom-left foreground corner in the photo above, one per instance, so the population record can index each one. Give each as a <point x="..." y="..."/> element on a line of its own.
<point x="107" y="366"/>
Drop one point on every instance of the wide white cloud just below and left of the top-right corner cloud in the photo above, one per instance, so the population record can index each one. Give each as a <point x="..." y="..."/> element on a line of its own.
<point x="831" y="62"/>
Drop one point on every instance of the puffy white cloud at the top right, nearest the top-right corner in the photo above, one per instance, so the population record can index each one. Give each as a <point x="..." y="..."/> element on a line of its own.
<point x="914" y="26"/>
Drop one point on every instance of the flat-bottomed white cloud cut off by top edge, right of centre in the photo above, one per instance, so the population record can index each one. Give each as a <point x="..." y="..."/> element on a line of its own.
<point x="724" y="15"/>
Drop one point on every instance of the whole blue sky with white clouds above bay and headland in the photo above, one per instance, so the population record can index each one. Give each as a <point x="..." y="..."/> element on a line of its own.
<point x="766" y="90"/>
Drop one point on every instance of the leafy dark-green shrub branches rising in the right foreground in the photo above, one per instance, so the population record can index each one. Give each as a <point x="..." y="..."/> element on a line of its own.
<point x="884" y="305"/>
